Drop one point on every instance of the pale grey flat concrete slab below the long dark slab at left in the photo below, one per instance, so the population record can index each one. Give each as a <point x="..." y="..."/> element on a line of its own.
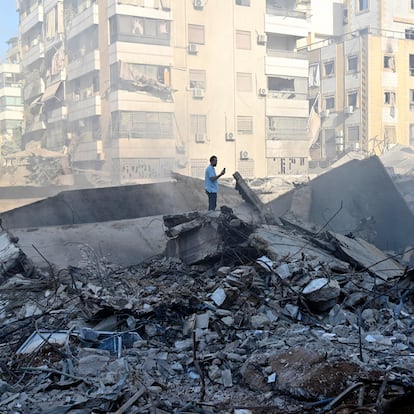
<point x="123" y="242"/>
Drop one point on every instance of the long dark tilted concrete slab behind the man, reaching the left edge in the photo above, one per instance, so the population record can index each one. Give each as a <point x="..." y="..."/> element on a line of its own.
<point x="116" y="203"/>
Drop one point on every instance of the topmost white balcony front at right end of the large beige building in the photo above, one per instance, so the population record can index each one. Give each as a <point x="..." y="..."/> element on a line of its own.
<point x="292" y="23"/>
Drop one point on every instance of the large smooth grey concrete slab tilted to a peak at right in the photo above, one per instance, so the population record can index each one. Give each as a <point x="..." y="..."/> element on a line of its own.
<point x="358" y="197"/>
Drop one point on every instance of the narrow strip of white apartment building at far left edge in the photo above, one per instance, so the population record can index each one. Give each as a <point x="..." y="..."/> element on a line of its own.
<point x="11" y="102"/>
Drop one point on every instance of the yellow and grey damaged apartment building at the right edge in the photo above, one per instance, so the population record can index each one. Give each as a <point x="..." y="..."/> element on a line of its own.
<point x="362" y="80"/>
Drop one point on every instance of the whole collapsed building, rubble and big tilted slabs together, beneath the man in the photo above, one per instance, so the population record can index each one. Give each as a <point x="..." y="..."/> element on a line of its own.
<point x="300" y="305"/>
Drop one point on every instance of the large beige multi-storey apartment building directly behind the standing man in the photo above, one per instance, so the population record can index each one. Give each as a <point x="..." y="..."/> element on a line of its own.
<point x="135" y="89"/>
